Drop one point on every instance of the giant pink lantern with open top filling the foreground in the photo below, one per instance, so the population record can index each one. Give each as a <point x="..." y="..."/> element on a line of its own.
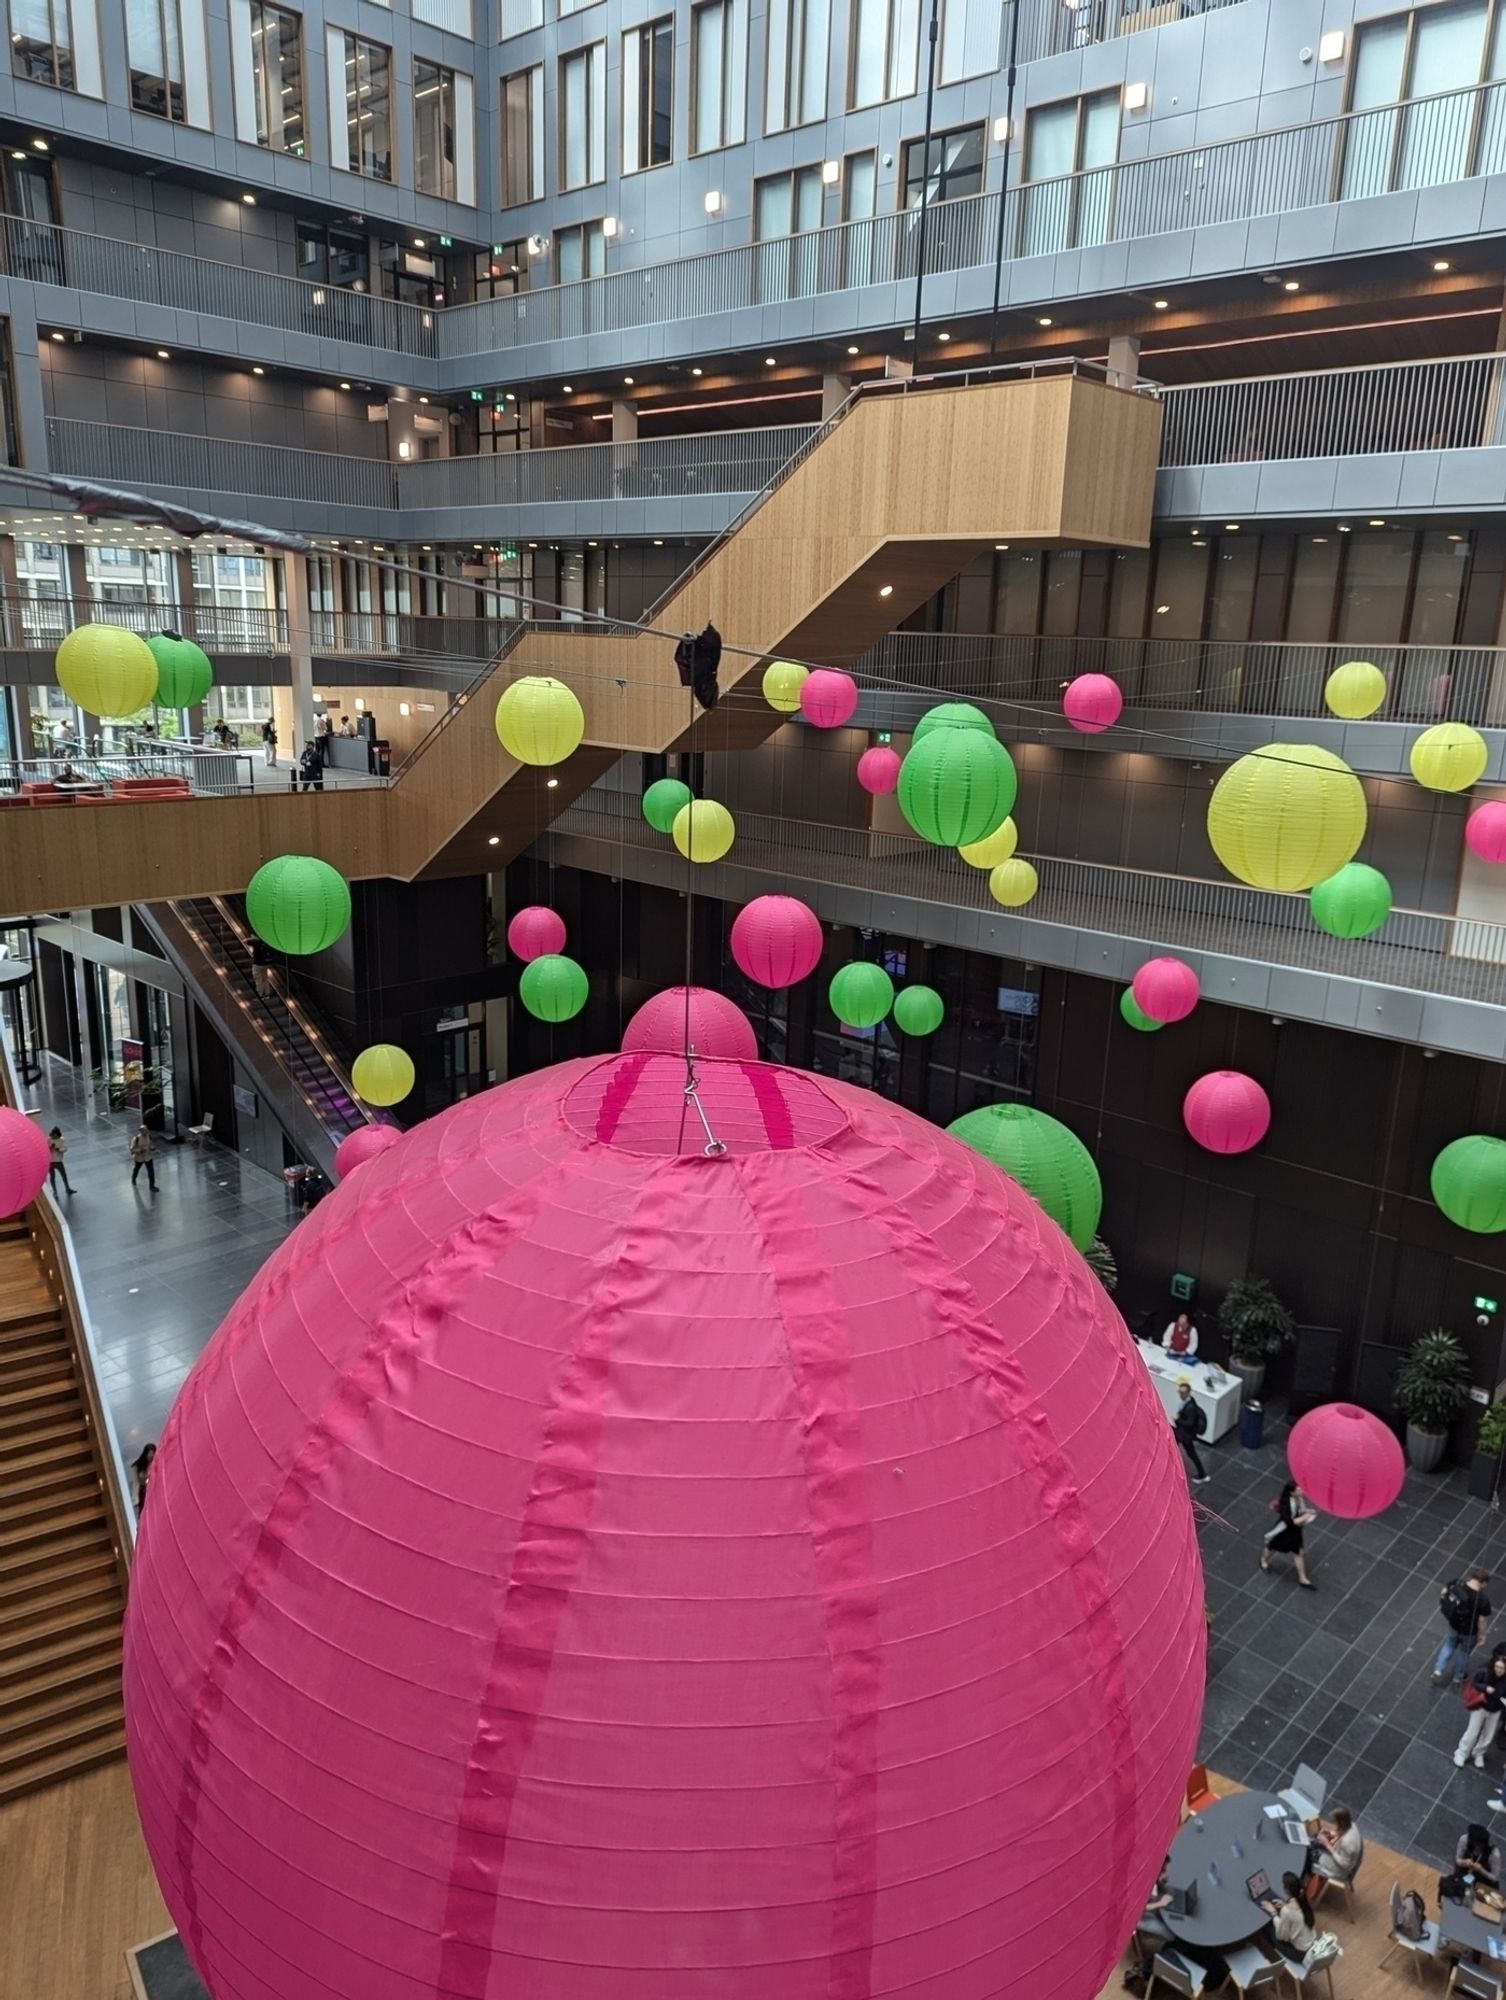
<point x="597" y="1569"/>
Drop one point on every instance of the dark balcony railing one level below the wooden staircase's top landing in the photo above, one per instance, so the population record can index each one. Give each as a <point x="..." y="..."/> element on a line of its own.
<point x="1255" y="679"/>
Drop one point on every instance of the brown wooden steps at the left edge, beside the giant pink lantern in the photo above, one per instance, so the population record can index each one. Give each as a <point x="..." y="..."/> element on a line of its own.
<point x="61" y="1579"/>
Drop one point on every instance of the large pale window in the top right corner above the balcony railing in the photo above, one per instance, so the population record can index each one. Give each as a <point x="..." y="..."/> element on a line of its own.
<point x="1433" y="53"/>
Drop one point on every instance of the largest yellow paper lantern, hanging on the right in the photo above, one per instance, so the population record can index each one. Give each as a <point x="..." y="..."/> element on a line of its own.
<point x="1287" y="817"/>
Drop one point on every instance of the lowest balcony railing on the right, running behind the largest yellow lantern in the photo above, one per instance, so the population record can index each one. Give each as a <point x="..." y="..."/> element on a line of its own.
<point x="1421" y="951"/>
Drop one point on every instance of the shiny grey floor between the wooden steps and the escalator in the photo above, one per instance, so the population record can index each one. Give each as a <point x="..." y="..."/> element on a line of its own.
<point x="159" y="1271"/>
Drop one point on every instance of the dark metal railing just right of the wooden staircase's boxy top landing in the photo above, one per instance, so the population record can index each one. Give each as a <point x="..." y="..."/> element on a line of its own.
<point x="1337" y="413"/>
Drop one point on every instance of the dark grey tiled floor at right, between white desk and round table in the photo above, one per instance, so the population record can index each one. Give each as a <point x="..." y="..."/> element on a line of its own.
<point x="1339" y="1677"/>
